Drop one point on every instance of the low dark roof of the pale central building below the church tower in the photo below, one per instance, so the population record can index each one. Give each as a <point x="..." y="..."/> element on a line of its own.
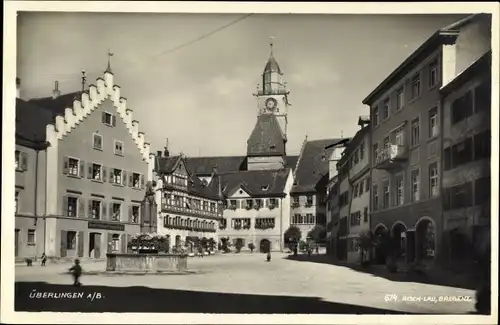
<point x="259" y="183"/>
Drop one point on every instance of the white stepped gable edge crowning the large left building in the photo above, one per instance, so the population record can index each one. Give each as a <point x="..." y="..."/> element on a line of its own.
<point x="69" y="110"/>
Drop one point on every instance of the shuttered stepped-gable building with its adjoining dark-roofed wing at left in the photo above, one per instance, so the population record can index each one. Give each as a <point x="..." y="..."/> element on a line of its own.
<point x="92" y="169"/>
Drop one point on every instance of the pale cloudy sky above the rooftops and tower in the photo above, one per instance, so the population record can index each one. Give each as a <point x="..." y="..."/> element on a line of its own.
<point x="199" y="96"/>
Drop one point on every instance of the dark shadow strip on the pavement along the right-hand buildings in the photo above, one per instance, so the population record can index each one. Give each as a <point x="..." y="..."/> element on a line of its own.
<point x="443" y="279"/>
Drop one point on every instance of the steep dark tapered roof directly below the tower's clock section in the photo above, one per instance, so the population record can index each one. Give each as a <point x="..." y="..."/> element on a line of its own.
<point x="267" y="138"/>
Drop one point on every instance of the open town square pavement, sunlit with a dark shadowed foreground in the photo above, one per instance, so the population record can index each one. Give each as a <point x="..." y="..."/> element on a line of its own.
<point x="233" y="283"/>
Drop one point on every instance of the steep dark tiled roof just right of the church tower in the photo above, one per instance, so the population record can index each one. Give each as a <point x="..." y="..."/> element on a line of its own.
<point x="313" y="165"/>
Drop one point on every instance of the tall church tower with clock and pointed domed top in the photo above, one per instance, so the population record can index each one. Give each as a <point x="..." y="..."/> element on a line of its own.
<point x="266" y="147"/>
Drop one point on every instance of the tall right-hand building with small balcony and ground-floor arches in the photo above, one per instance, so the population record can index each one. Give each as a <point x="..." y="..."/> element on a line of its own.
<point x="406" y="138"/>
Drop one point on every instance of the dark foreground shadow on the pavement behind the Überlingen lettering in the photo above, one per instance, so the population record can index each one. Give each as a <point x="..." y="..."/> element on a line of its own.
<point x="136" y="299"/>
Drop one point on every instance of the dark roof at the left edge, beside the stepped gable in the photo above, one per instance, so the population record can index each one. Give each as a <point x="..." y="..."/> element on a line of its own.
<point x="31" y="122"/>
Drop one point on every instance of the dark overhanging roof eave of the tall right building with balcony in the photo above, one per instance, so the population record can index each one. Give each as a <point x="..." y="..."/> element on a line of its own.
<point x="446" y="35"/>
